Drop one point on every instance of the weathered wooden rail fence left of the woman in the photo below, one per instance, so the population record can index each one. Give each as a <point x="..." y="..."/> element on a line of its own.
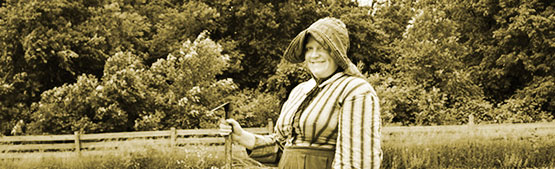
<point x="82" y="142"/>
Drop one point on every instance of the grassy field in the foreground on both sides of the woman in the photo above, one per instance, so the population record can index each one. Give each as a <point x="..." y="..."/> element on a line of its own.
<point x="479" y="146"/>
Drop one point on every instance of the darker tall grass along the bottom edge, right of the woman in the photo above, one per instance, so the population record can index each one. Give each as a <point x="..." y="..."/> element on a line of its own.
<point x="470" y="154"/>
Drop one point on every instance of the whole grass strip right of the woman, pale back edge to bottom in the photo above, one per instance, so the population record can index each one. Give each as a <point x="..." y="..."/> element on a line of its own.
<point x="491" y="146"/>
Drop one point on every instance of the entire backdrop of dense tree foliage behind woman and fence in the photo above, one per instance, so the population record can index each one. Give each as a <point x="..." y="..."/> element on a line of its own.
<point x="126" y="65"/>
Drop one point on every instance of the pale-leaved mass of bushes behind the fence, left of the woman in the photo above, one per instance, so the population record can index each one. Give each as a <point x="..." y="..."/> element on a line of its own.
<point x="174" y="92"/>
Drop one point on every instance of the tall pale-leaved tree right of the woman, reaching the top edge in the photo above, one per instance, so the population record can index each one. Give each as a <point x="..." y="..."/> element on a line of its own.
<point x="431" y="56"/>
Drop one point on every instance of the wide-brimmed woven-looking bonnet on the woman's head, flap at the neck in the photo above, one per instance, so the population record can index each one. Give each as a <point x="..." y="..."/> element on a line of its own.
<point x="332" y="34"/>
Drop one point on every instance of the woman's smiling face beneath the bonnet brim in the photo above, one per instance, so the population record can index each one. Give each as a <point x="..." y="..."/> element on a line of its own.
<point x="318" y="59"/>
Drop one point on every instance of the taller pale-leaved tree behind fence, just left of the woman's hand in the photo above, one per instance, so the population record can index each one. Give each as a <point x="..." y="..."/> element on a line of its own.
<point x="184" y="86"/>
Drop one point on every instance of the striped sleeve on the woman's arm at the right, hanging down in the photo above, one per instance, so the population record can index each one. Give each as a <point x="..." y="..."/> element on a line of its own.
<point x="358" y="141"/>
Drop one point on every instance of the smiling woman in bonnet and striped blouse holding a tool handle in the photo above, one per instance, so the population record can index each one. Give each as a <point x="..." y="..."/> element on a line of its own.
<point x="329" y="121"/>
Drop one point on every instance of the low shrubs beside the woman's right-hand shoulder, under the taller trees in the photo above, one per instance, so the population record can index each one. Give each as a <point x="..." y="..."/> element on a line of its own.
<point x="406" y="102"/>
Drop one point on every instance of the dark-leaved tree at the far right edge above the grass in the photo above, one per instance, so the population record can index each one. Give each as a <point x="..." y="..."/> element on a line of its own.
<point x="518" y="66"/>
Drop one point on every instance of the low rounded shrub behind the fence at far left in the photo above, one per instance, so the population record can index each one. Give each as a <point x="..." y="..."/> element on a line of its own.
<point x="76" y="107"/>
